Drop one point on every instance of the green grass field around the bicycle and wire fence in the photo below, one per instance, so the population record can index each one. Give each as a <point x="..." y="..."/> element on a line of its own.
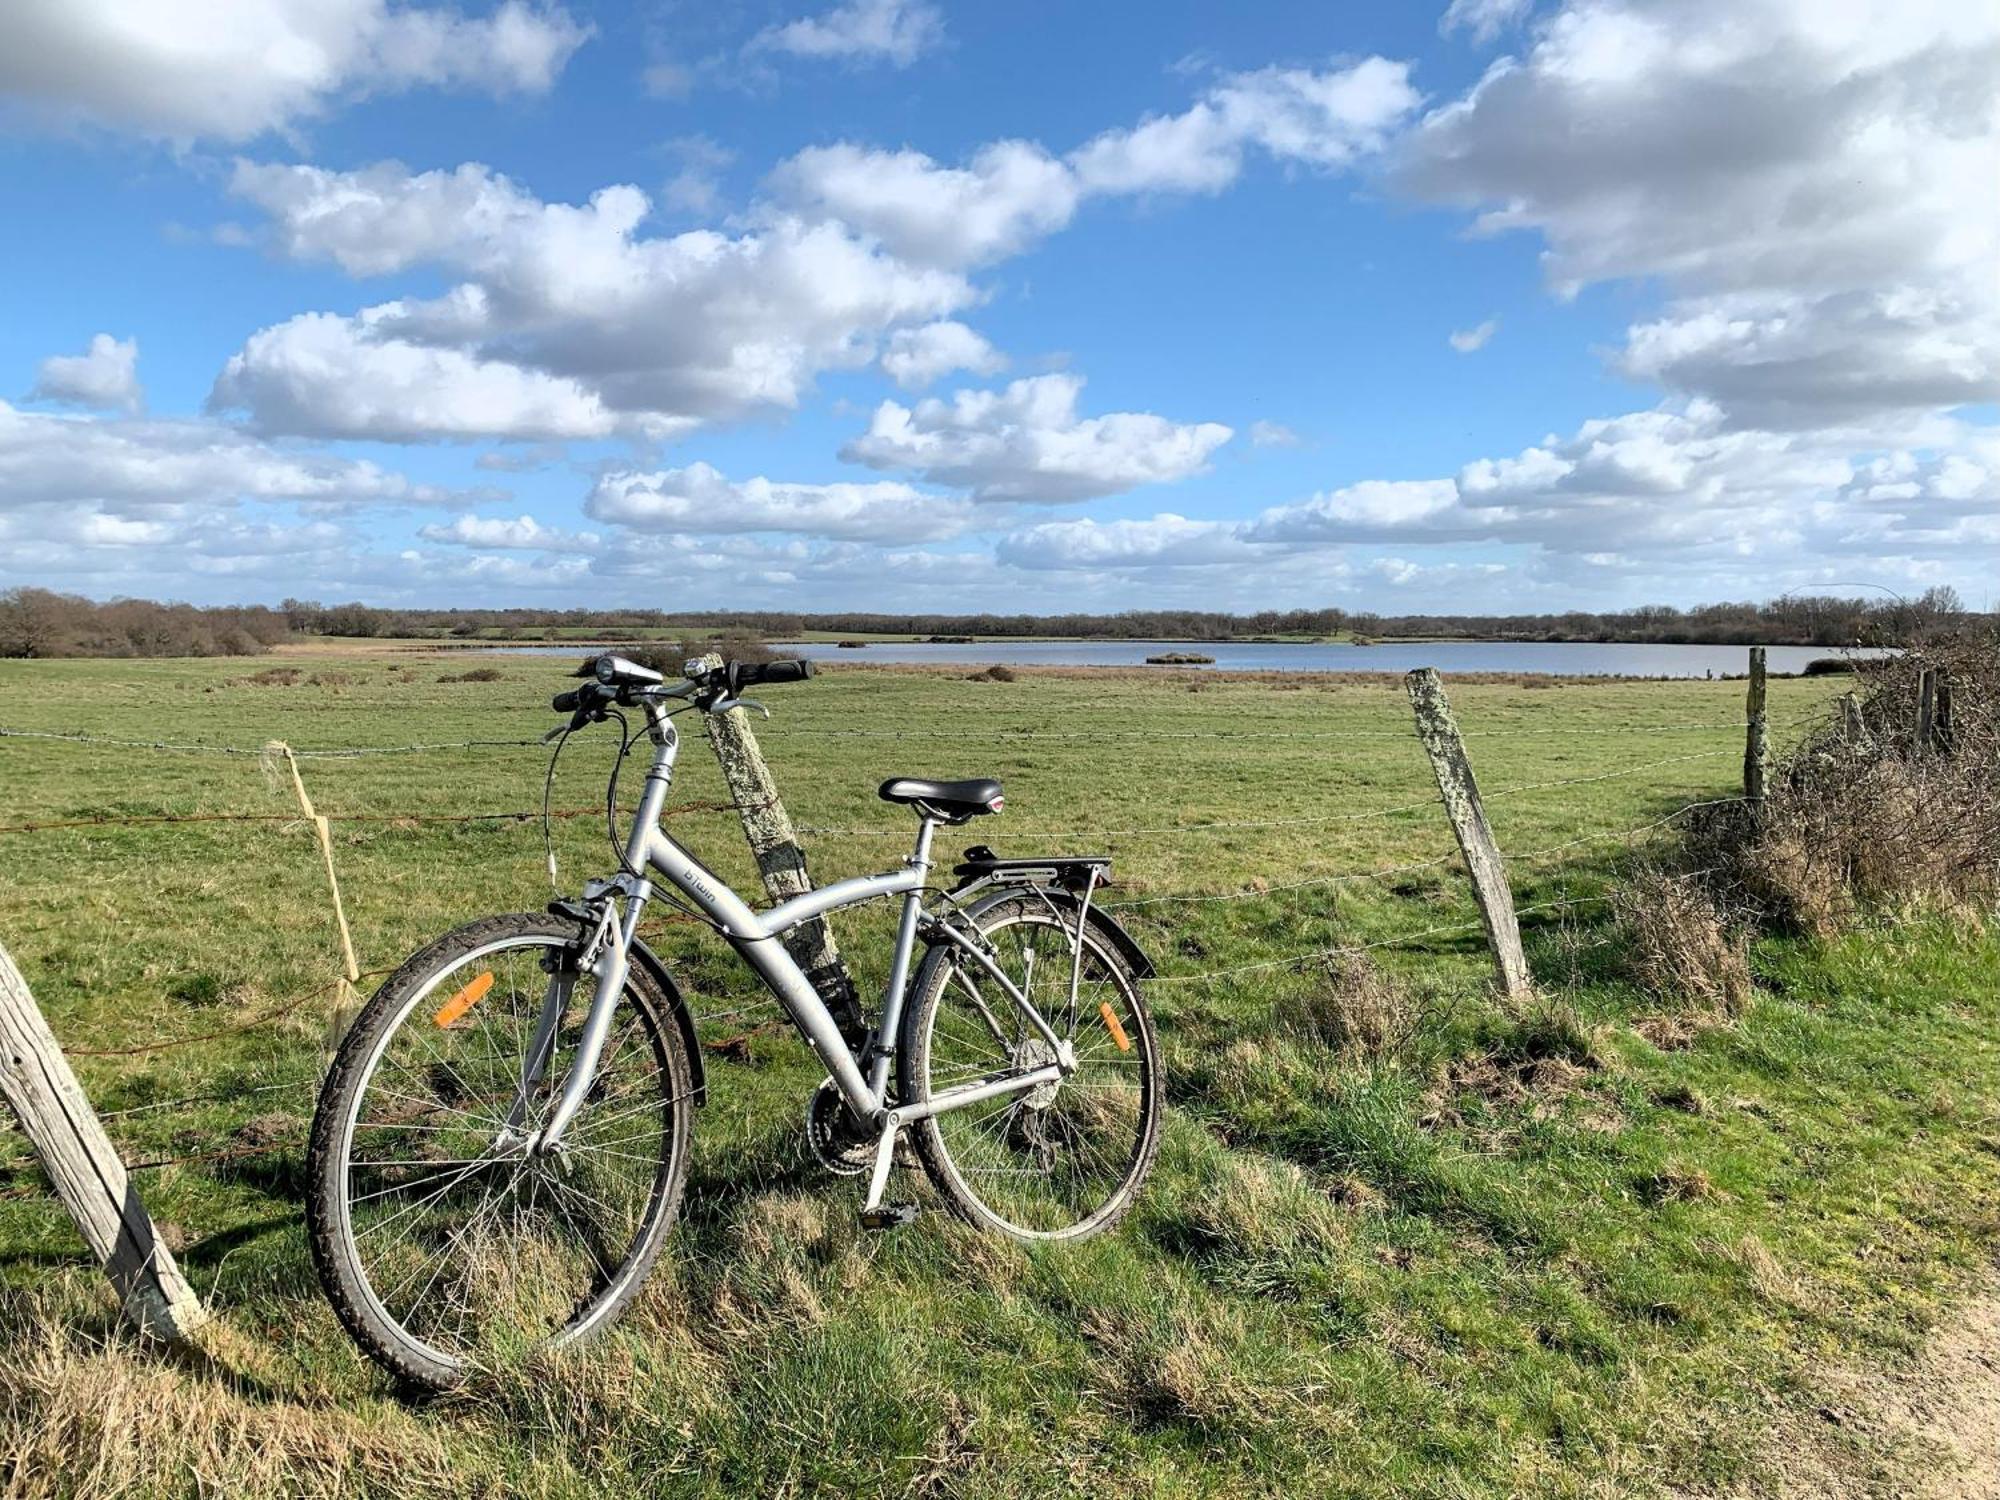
<point x="1577" y="1251"/>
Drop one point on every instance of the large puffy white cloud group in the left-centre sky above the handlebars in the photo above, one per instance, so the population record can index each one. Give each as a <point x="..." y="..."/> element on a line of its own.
<point x="571" y="323"/>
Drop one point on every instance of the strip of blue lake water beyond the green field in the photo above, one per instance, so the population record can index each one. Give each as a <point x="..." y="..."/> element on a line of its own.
<point x="1561" y="659"/>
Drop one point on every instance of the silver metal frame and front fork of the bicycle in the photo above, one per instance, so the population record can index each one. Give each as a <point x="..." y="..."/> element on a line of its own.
<point x="757" y="937"/>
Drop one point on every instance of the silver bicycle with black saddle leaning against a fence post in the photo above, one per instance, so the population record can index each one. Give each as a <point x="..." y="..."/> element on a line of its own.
<point x="501" y="1145"/>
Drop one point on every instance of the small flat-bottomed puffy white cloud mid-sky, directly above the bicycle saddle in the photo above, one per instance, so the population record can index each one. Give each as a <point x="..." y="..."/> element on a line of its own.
<point x="1027" y="443"/>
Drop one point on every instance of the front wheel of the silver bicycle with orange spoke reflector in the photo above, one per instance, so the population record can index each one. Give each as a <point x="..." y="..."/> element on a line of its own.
<point x="443" y="1239"/>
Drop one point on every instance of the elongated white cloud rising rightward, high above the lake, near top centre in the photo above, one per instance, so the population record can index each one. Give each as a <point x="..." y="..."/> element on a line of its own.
<point x="1013" y="193"/>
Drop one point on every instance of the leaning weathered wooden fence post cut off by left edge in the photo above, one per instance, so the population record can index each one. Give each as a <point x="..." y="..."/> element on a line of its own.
<point x="89" y="1175"/>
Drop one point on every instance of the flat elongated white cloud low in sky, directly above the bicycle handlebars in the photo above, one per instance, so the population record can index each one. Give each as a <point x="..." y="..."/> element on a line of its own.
<point x="703" y="501"/>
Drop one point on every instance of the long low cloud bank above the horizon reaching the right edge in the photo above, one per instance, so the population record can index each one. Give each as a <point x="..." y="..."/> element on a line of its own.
<point x="1667" y="491"/>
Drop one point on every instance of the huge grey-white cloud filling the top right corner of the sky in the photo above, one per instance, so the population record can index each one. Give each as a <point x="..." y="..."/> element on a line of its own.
<point x="1741" y="153"/>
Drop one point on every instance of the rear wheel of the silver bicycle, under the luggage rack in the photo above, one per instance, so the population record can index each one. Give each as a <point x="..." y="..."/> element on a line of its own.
<point x="1061" y="1161"/>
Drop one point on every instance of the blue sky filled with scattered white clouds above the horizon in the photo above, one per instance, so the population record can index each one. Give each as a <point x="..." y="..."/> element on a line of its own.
<point x="903" y="305"/>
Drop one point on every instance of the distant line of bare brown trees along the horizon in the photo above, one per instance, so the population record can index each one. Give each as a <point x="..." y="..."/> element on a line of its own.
<point x="41" y="623"/>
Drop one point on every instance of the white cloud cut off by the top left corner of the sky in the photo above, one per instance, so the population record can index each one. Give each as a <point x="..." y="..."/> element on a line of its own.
<point x="235" y="71"/>
